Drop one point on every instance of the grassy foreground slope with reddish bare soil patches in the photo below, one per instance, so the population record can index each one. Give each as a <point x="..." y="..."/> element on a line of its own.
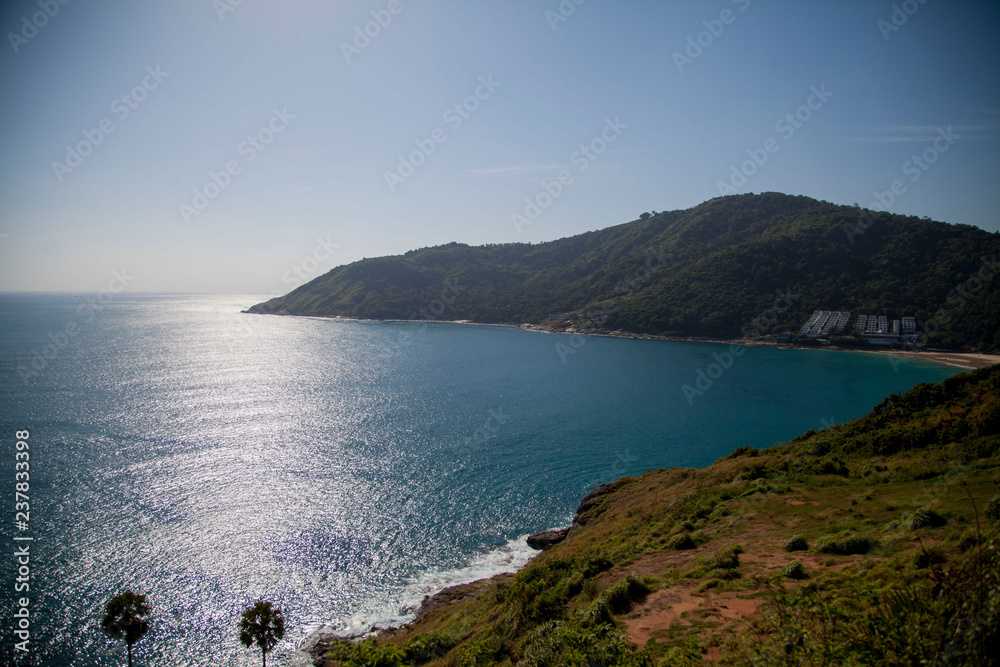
<point x="683" y="566"/>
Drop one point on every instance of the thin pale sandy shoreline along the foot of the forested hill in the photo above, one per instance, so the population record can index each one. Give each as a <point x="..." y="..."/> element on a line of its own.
<point x="967" y="361"/>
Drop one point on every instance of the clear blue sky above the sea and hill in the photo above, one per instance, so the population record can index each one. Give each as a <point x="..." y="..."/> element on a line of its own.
<point x="308" y="118"/>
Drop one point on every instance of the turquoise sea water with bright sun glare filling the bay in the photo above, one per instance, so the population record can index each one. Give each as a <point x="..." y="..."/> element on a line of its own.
<point x="342" y="469"/>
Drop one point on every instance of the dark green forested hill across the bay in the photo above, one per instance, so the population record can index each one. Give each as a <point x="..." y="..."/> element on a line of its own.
<point x="705" y="271"/>
